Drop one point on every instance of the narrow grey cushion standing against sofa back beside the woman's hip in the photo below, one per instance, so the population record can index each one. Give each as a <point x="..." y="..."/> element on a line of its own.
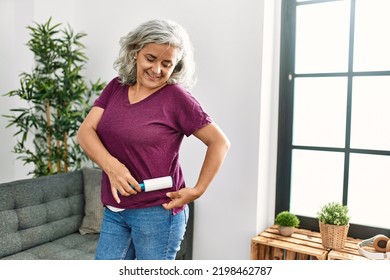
<point x="93" y="209"/>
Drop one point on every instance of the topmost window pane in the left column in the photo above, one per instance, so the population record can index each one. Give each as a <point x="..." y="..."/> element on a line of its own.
<point x="322" y="37"/>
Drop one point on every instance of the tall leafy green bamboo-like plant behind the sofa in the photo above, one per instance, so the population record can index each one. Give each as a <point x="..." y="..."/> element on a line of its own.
<point x="57" y="100"/>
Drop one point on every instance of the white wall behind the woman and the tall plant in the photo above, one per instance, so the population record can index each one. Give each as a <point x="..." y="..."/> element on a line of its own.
<point x="236" y="58"/>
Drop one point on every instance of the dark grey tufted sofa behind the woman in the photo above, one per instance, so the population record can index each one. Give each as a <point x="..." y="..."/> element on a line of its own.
<point x="57" y="217"/>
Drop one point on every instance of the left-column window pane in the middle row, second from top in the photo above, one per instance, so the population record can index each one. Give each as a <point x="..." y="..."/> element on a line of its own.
<point x="320" y="111"/>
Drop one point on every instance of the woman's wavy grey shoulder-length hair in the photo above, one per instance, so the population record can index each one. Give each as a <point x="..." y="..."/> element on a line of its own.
<point x="157" y="31"/>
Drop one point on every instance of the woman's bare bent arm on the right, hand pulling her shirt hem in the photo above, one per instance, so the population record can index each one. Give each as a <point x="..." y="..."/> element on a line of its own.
<point x="217" y="148"/>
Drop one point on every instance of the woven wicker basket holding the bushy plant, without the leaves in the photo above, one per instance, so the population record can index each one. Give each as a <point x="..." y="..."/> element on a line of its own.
<point x="332" y="236"/>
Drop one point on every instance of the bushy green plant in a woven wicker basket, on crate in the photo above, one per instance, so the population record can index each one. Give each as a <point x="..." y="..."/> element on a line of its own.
<point x="334" y="225"/>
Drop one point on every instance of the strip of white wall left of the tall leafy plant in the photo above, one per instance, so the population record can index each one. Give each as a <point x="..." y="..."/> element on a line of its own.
<point x="14" y="57"/>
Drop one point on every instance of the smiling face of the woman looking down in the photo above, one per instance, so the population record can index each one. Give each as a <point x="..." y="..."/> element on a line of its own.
<point x="155" y="64"/>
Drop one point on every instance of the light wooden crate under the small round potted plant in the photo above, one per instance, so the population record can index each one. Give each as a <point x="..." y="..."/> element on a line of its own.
<point x="302" y="245"/>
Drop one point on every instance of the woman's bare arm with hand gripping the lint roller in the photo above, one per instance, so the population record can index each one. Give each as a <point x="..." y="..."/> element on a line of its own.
<point x="119" y="176"/>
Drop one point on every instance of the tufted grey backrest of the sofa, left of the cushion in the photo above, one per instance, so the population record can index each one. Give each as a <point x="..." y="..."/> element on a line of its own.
<point x="39" y="210"/>
